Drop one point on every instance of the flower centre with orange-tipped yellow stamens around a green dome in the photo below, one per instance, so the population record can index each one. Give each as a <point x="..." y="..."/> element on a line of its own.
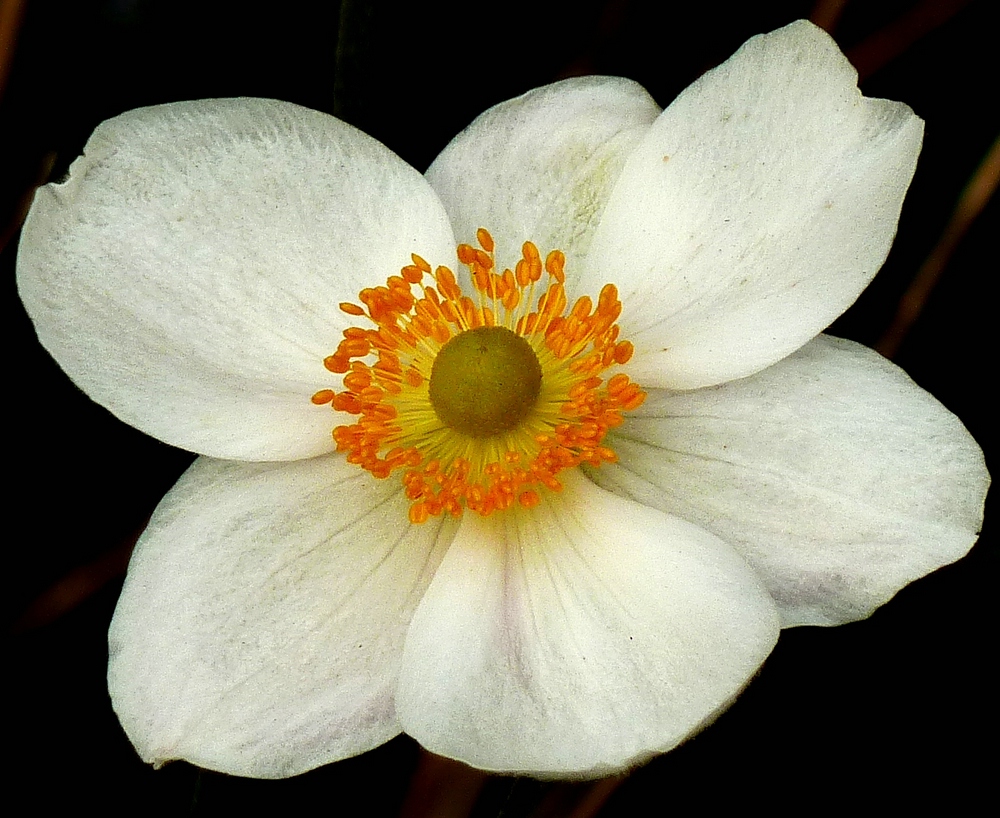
<point x="481" y="403"/>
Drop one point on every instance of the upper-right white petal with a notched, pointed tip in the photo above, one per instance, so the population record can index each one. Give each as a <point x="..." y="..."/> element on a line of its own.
<point x="754" y="212"/>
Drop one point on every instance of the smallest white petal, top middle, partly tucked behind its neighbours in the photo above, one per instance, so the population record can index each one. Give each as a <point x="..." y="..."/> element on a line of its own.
<point x="541" y="167"/>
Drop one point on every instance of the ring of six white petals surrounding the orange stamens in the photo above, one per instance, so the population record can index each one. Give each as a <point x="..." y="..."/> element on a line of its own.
<point x="282" y="611"/>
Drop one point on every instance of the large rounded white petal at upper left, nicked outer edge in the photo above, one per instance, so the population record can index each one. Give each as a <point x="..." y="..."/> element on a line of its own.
<point x="187" y="275"/>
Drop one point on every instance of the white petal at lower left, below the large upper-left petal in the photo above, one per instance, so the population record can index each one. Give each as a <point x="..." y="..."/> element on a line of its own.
<point x="262" y="622"/>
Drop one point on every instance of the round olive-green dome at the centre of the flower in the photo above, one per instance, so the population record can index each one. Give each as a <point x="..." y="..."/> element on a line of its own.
<point x="485" y="381"/>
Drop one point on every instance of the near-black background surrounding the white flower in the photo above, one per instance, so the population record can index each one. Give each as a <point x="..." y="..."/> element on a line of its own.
<point x="895" y="708"/>
